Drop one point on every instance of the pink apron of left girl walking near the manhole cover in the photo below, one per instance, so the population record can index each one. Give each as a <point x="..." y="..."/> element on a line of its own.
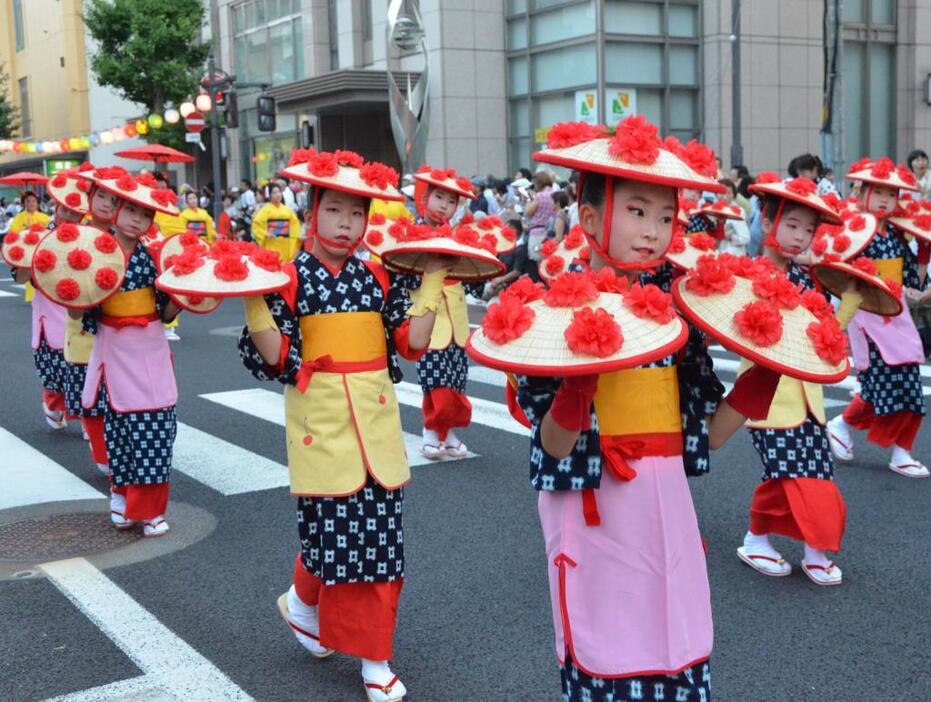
<point x="135" y="364"/>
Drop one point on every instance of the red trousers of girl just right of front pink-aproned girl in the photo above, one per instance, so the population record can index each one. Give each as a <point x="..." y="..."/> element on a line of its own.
<point x="804" y="509"/>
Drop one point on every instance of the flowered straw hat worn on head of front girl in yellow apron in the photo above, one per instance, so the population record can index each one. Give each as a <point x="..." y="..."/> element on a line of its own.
<point x="343" y="170"/>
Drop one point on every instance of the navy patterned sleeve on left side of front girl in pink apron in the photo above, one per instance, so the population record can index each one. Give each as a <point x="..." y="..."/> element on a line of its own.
<point x="579" y="470"/>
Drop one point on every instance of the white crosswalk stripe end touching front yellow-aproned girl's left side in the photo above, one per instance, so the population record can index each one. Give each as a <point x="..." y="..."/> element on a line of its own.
<point x="227" y="468"/>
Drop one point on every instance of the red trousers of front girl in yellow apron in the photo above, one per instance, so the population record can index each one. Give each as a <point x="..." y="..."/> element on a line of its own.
<point x="357" y="619"/>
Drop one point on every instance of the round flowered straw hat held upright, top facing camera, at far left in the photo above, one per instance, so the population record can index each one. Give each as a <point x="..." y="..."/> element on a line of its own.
<point x="78" y="266"/>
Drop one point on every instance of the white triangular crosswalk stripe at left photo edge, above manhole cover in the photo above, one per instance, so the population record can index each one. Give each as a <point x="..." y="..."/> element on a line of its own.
<point x="30" y="477"/>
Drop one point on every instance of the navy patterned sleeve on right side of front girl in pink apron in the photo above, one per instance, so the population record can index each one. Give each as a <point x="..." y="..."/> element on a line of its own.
<point x="700" y="391"/>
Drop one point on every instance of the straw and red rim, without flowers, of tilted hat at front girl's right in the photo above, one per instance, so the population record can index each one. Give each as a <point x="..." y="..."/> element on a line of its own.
<point x="792" y="355"/>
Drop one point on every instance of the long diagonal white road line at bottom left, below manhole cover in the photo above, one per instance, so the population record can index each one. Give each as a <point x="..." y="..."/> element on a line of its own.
<point x="169" y="663"/>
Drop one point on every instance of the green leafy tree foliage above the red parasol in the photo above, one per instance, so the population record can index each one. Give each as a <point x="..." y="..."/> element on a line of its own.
<point x="149" y="51"/>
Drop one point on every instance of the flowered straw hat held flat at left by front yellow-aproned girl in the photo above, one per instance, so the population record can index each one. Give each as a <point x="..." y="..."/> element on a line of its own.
<point x="226" y="269"/>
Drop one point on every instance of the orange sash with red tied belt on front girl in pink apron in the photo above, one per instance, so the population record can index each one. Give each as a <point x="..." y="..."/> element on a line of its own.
<point x="638" y="415"/>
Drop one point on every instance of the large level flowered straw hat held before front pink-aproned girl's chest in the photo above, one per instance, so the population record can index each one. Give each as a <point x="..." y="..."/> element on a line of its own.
<point x="575" y="329"/>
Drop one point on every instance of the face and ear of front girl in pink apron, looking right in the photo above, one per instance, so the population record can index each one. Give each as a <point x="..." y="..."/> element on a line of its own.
<point x="641" y="224"/>
